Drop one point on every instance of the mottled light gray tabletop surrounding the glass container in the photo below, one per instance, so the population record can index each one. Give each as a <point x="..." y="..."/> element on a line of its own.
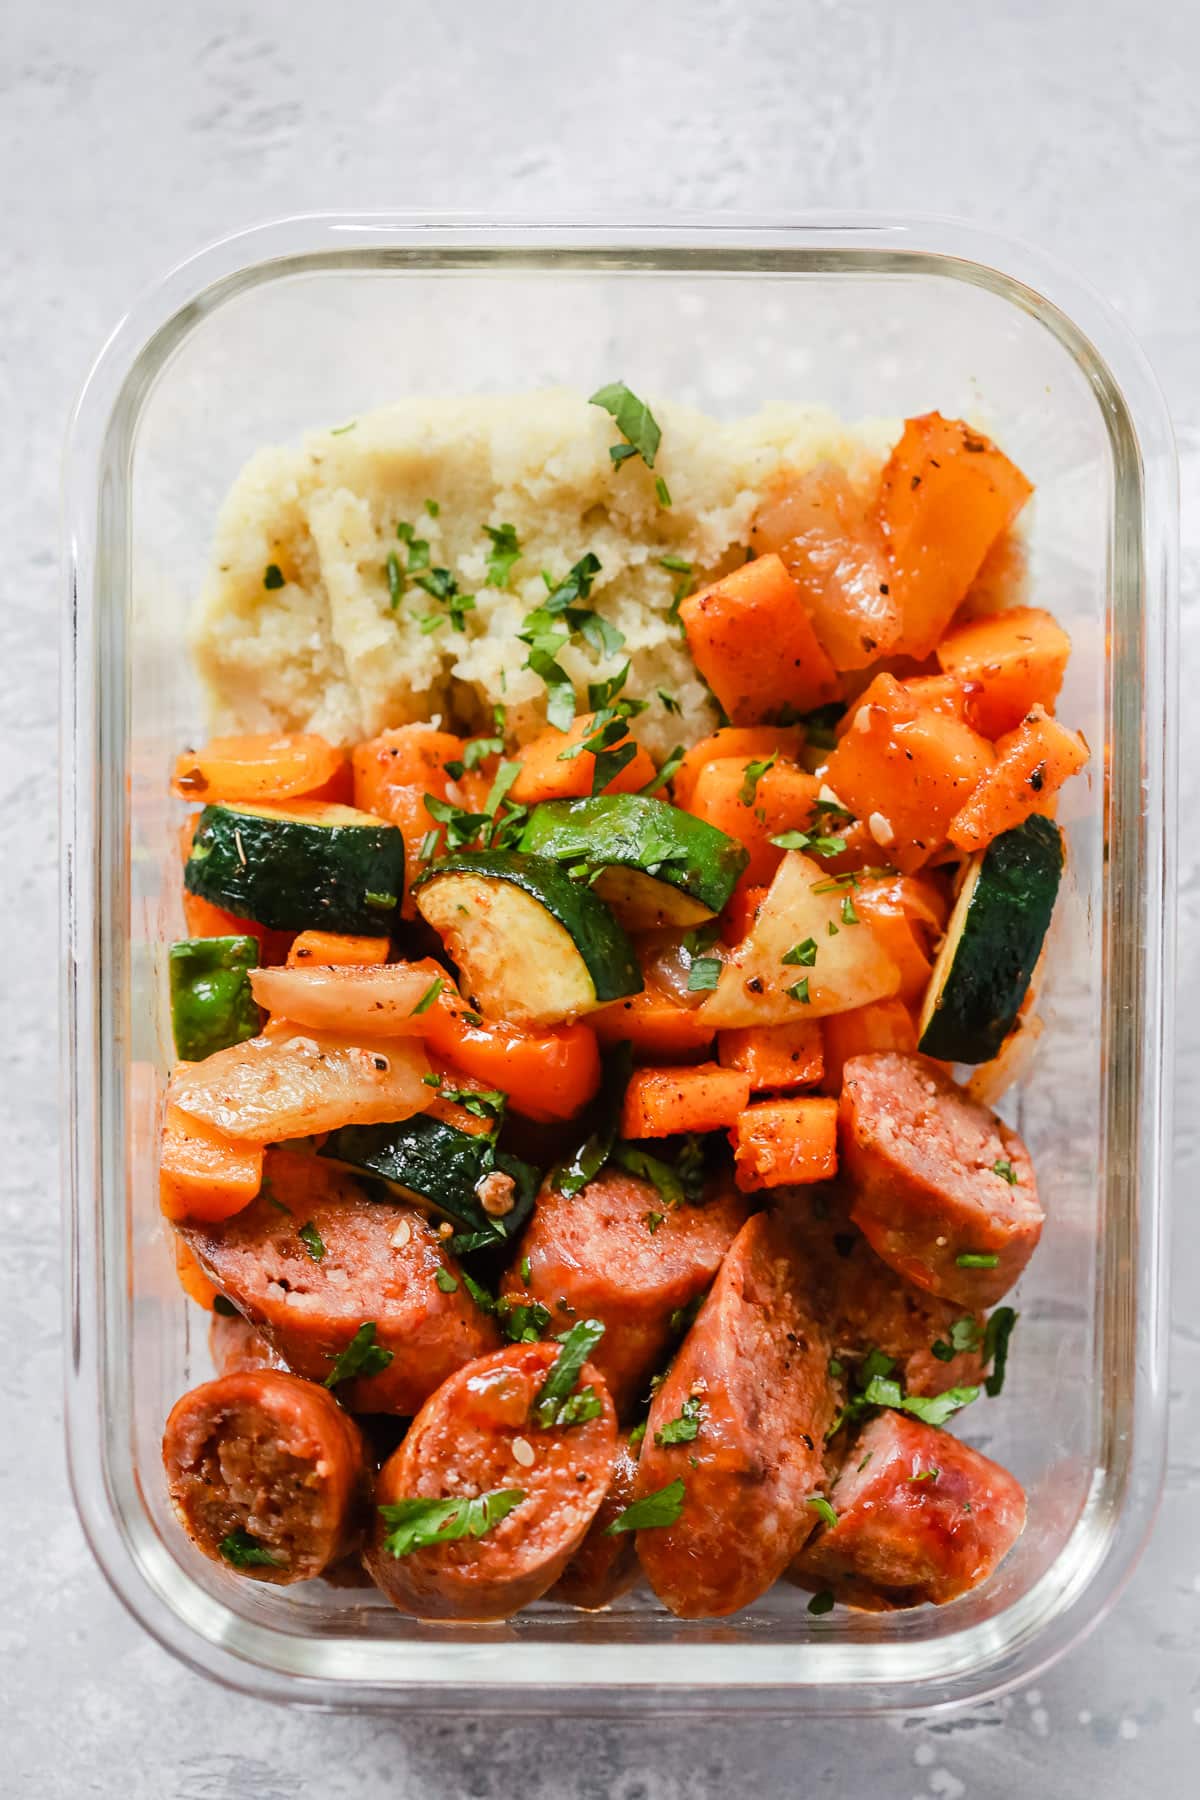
<point x="132" y="132"/>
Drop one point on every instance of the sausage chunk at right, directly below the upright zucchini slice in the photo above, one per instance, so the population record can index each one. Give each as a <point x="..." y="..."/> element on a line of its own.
<point x="940" y="1180"/>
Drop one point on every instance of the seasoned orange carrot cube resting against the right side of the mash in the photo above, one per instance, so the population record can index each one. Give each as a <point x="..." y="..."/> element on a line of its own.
<point x="755" y="643"/>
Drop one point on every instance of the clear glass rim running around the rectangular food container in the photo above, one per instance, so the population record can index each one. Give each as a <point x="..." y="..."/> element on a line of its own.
<point x="938" y="1675"/>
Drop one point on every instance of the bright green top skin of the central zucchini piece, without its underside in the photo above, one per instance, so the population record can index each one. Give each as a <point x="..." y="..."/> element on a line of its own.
<point x="645" y="834"/>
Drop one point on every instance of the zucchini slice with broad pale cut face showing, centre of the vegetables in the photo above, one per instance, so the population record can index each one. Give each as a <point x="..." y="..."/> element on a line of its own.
<point x="533" y="946"/>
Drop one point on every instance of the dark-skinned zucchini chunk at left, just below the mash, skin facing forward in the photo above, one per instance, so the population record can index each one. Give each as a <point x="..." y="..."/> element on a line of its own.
<point x="300" y="867"/>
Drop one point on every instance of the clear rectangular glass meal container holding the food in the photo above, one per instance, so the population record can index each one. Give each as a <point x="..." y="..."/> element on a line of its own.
<point x="316" y="321"/>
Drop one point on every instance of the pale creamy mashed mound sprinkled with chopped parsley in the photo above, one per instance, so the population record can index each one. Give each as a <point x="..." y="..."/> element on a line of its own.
<point x="328" y="652"/>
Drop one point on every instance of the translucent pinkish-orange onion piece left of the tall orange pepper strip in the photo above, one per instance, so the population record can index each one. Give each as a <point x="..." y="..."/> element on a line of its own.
<point x="834" y="550"/>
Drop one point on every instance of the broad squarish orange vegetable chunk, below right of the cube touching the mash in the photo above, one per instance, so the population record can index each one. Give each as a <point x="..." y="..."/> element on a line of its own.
<point x="906" y="771"/>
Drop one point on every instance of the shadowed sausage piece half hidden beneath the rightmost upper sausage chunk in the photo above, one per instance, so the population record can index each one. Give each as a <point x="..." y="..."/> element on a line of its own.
<point x="866" y="1306"/>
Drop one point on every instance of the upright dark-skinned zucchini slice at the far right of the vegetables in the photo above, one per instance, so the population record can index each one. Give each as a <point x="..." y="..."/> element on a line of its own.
<point x="992" y="944"/>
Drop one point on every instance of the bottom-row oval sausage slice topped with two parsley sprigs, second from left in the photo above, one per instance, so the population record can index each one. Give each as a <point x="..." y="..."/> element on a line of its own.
<point x="479" y="1435"/>
